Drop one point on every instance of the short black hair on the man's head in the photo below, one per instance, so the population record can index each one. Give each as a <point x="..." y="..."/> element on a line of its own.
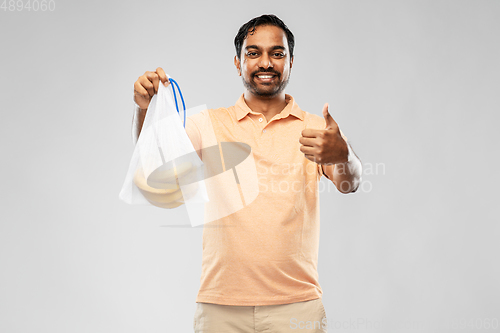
<point x="266" y="19"/>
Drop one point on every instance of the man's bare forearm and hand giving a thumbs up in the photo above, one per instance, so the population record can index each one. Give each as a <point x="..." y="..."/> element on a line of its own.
<point x="330" y="149"/>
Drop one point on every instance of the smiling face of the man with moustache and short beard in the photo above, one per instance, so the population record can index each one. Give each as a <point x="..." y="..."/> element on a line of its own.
<point x="265" y="61"/>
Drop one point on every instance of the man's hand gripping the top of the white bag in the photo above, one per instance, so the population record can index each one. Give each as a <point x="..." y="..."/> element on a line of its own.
<point x="147" y="85"/>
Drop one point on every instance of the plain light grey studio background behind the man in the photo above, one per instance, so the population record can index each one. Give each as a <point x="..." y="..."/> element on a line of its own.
<point x="413" y="84"/>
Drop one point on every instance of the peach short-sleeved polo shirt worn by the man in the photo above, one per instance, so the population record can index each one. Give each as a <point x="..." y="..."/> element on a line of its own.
<point x="265" y="253"/>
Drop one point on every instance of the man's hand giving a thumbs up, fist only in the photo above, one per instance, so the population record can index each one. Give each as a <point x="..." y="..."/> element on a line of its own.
<point x="324" y="146"/>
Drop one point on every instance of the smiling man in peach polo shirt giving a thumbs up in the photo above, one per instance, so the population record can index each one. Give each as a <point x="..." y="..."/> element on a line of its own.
<point x="259" y="270"/>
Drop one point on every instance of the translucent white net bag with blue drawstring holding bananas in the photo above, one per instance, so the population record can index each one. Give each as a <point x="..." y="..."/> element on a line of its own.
<point x="165" y="170"/>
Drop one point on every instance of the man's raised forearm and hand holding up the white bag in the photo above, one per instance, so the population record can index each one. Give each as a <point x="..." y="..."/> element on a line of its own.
<point x="145" y="88"/>
